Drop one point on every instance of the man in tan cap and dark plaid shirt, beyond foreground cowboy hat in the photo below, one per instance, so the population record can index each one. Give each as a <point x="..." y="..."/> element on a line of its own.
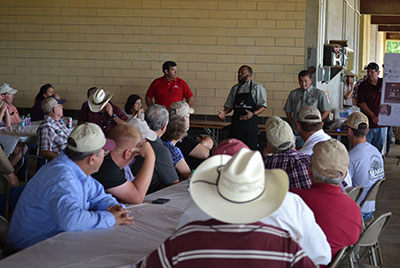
<point x="281" y="143"/>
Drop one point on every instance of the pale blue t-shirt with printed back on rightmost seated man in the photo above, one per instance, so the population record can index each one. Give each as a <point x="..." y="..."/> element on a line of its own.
<point x="366" y="168"/>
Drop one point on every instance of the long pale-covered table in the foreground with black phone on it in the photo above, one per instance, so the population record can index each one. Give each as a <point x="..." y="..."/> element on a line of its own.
<point x="114" y="247"/>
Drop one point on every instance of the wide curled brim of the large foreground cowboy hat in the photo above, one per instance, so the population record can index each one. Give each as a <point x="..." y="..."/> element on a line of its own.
<point x="204" y="193"/>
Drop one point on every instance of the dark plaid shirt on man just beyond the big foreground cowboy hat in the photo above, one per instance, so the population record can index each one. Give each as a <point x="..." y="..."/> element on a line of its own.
<point x="295" y="164"/>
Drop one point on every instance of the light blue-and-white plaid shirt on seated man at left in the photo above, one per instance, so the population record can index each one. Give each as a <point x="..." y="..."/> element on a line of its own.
<point x="53" y="135"/>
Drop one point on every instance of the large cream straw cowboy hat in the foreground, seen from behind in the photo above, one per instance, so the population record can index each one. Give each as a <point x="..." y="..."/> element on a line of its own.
<point x="238" y="189"/>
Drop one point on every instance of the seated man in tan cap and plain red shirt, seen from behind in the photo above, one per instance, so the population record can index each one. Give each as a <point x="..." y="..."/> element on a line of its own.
<point x="337" y="214"/>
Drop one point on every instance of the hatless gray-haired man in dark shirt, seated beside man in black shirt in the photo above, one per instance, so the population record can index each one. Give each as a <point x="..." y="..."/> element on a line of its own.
<point x="164" y="171"/>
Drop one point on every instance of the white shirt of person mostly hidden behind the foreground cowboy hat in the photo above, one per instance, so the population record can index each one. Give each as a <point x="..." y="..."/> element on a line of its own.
<point x="294" y="216"/>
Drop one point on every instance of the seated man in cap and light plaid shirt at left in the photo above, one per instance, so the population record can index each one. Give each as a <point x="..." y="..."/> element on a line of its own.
<point x="52" y="132"/>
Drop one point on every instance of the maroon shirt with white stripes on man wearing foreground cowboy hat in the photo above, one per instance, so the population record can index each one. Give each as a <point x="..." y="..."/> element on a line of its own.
<point x="233" y="245"/>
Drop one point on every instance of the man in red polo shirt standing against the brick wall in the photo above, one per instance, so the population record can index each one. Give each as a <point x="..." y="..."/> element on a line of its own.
<point x="169" y="88"/>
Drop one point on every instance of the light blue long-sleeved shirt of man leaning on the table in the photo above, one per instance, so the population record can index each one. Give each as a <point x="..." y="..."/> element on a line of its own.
<point x="60" y="197"/>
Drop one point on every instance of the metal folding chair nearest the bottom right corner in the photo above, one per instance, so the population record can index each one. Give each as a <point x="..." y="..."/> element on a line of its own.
<point x="368" y="240"/>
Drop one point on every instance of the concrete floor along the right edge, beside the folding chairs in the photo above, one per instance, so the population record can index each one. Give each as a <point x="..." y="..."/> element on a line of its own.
<point x="389" y="200"/>
